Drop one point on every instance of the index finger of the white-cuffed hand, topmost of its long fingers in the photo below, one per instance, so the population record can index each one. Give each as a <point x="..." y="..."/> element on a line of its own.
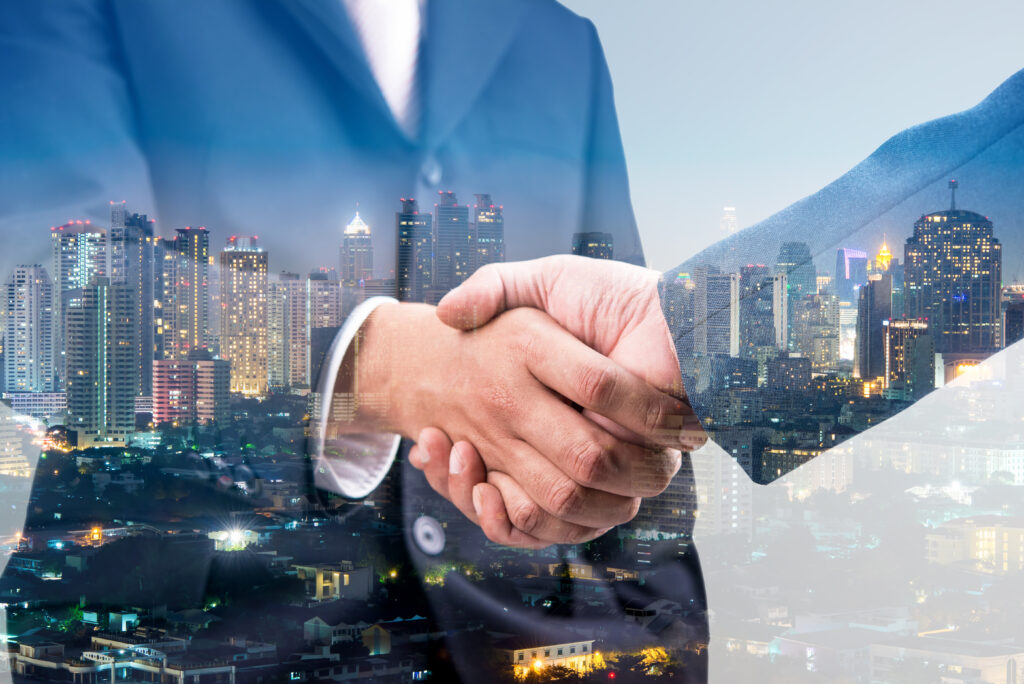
<point x="586" y="378"/>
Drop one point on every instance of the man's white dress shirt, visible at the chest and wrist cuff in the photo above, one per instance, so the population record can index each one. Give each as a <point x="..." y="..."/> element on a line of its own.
<point x="390" y="31"/>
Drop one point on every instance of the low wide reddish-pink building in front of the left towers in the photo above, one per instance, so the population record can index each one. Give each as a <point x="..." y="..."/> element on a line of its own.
<point x="191" y="391"/>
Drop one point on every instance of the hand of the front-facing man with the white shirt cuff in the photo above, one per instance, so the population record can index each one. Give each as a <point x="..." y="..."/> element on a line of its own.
<point x="507" y="390"/>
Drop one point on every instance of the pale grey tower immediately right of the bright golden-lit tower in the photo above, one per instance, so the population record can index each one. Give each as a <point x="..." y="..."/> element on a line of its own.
<point x="288" y="340"/>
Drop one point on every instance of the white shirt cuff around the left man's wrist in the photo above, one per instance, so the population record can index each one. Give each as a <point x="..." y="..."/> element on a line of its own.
<point x="351" y="465"/>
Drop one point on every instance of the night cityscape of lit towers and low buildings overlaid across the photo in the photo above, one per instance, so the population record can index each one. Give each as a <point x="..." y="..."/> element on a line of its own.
<point x="174" y="535"/>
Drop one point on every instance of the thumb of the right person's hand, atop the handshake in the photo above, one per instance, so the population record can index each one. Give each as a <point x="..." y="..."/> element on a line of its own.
<point x="493" y="289"/>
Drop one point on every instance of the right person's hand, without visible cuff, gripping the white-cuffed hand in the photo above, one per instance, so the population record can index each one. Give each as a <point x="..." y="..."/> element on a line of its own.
<point x="612" y="307"/>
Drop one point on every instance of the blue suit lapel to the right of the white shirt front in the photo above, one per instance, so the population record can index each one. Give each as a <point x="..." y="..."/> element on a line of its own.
<point x="464" y="44"/>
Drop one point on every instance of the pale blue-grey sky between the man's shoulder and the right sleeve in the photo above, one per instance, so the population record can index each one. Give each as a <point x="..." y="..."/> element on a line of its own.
<point x="759" y="105"/>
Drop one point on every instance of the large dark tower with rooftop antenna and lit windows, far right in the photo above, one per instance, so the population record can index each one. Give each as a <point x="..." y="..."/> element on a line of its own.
<point x="953" y="278"/>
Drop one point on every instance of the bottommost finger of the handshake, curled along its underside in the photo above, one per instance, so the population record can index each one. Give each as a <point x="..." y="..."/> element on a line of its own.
<point x="525" y="517"/>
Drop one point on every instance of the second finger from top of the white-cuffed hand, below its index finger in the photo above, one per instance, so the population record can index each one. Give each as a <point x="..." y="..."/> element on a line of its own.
<point x="593" y="457"/>
